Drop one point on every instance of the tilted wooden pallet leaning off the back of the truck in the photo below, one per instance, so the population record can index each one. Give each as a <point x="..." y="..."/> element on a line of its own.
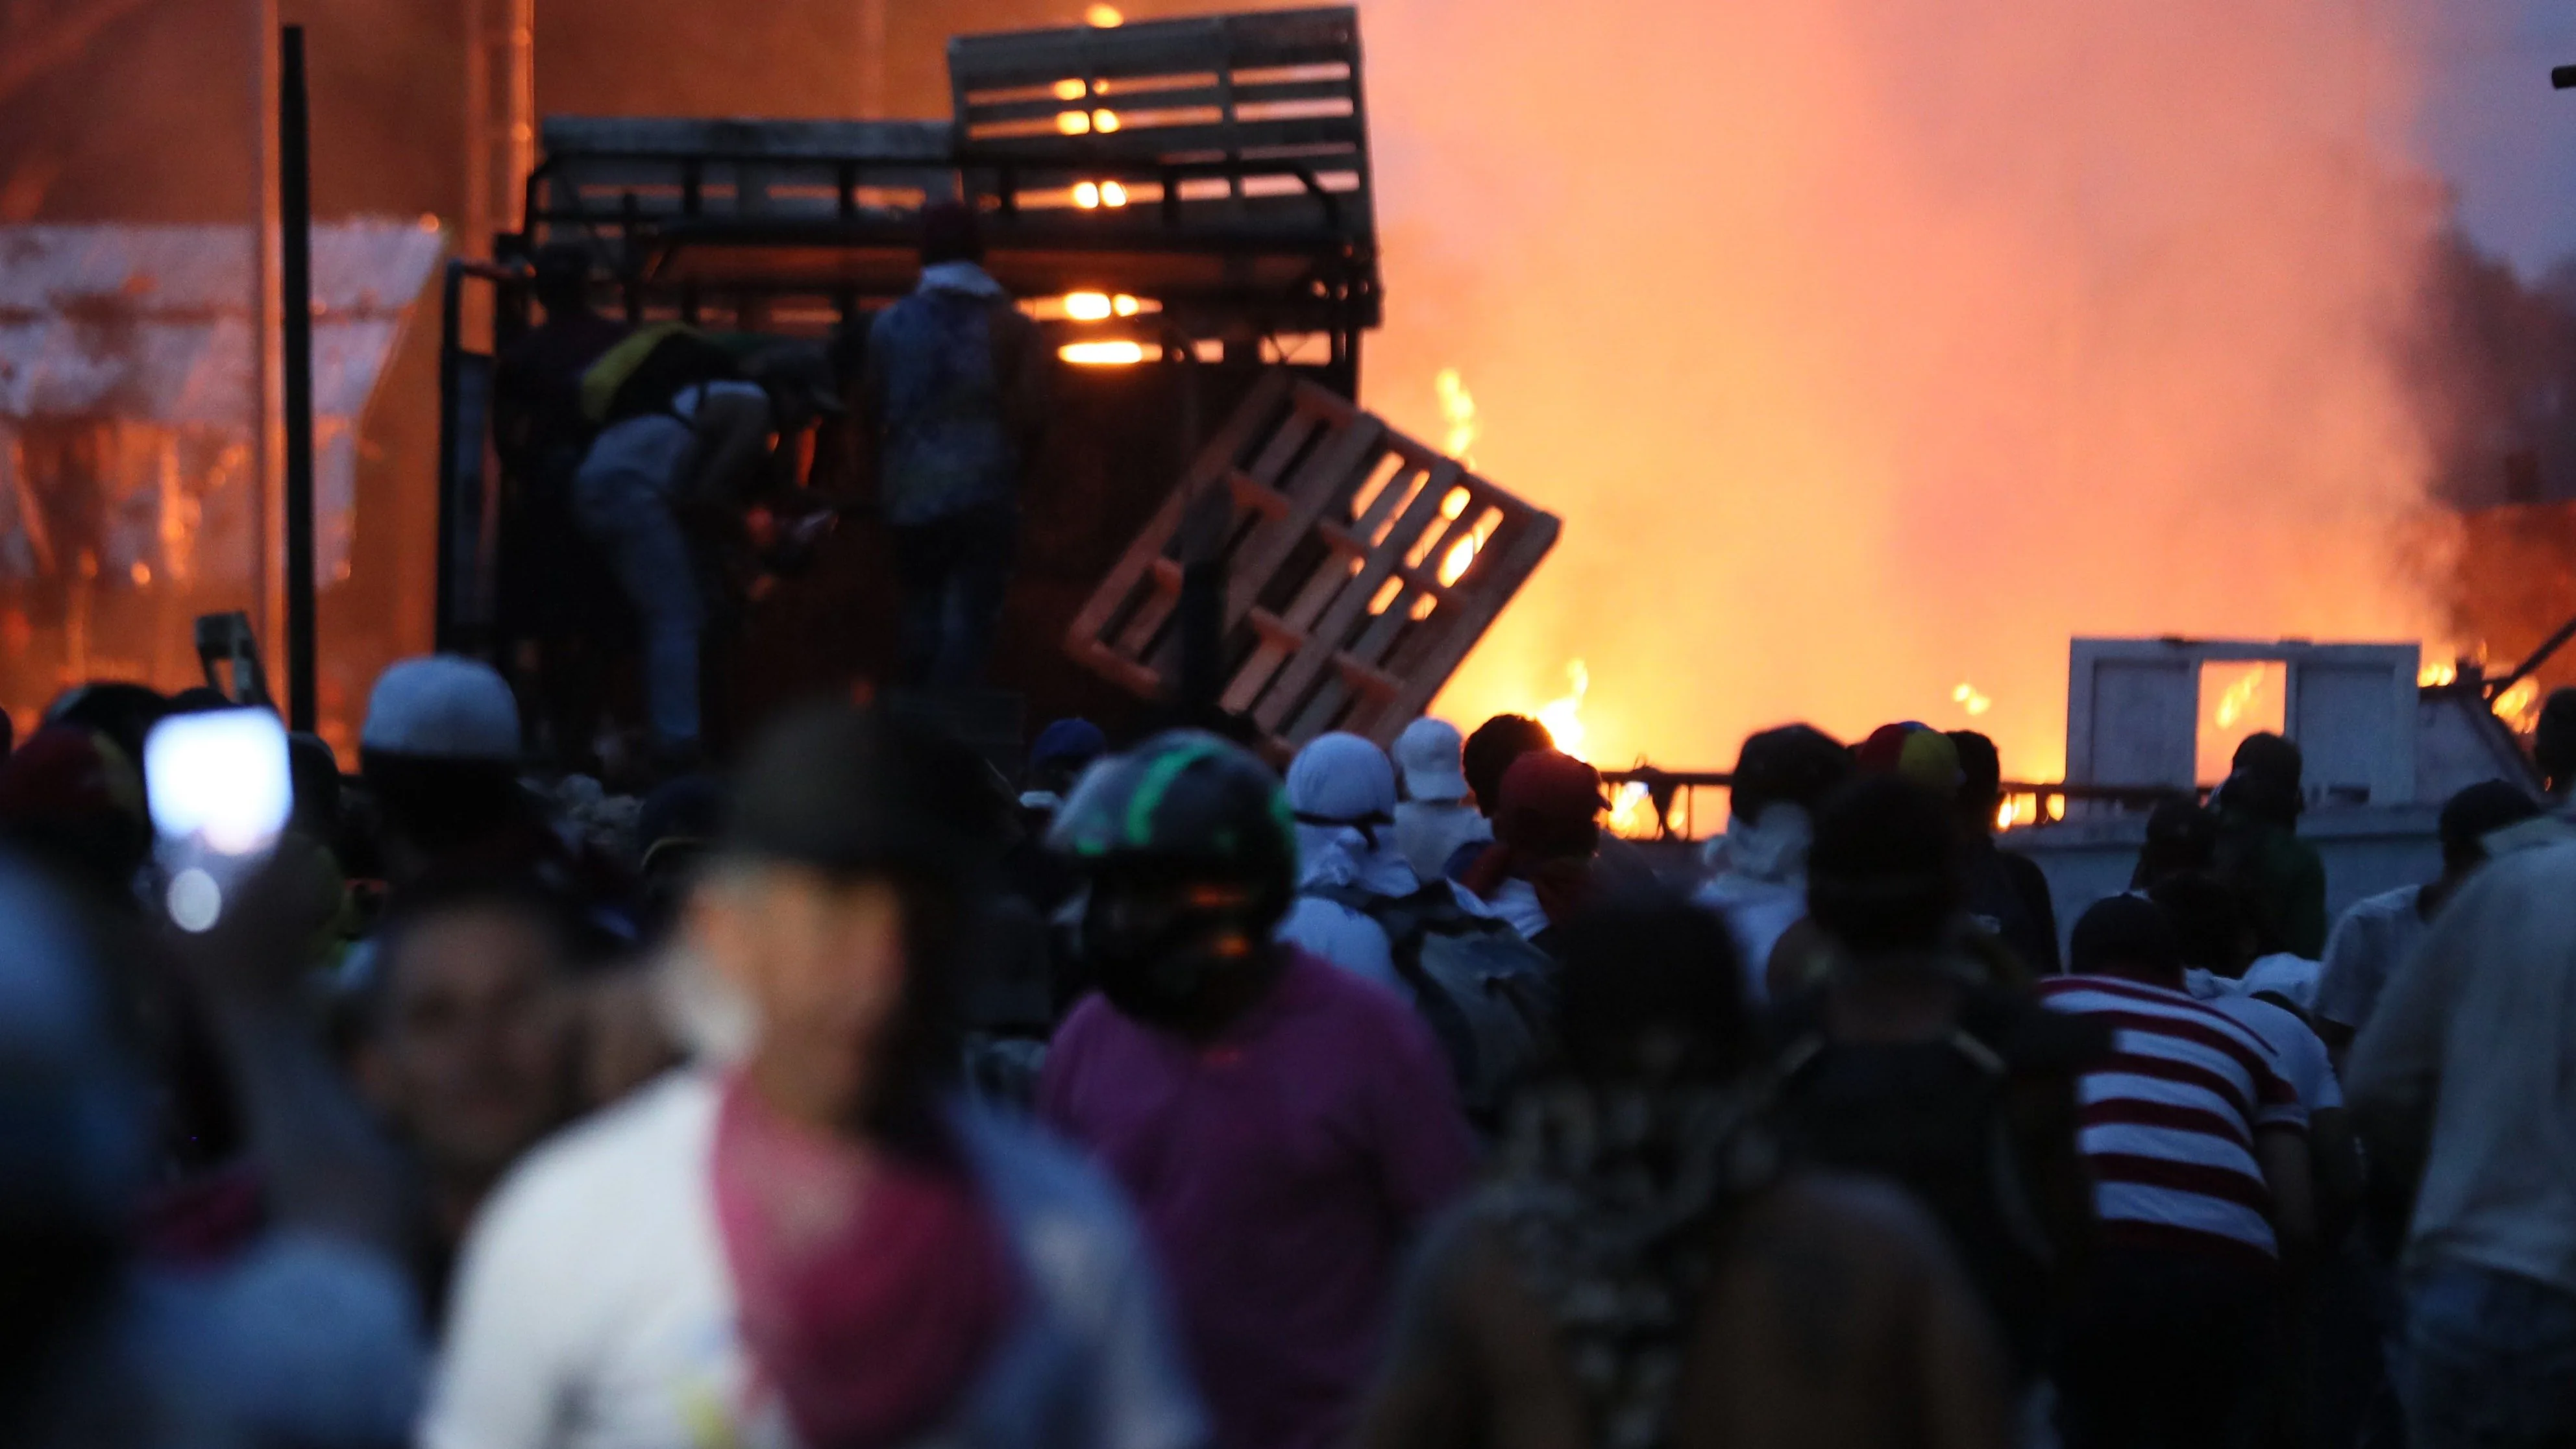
<point x="1354" y="591"/>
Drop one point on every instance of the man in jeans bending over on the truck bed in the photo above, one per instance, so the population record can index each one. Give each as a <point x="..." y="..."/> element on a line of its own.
<point x="668" y="493"/>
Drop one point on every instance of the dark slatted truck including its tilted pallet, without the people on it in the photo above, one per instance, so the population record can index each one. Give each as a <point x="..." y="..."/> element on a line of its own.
<point x="1186" y="210"/>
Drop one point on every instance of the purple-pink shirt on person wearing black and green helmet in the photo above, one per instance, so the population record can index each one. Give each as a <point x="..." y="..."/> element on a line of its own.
<point x="1282" y="1175"/>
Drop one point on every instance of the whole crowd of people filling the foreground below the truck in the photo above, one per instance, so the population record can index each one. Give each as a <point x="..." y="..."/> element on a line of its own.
<point x="1142" y="1095"/>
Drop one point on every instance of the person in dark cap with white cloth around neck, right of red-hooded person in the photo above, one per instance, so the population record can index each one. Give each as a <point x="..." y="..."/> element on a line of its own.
<point x="1758" y="869"/>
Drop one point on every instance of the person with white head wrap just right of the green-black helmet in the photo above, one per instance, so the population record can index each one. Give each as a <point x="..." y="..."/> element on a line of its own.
<point x="1343" y="794"/>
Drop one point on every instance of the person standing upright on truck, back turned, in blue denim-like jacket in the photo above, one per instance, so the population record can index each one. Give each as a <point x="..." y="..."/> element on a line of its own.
<point x="954" y="392"/>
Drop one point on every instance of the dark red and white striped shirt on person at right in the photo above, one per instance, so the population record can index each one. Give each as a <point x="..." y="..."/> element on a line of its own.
<point x="2168" y="1121"/>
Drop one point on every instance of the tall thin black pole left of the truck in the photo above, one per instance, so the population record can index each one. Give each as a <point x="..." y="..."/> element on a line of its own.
<point x="298" y="336"/>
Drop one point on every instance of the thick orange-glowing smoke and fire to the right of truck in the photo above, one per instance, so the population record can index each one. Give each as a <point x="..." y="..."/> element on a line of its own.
<point x="1882" y="346"/>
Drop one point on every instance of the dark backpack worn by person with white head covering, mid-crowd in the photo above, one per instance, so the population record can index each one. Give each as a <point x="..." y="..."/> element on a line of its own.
<point x="1485" y="992"/>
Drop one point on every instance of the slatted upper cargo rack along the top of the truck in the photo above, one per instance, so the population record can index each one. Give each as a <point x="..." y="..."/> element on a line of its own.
<point x="1220" y="176"/>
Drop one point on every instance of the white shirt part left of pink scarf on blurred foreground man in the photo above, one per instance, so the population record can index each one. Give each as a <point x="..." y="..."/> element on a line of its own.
<point x="594" y="1304"/>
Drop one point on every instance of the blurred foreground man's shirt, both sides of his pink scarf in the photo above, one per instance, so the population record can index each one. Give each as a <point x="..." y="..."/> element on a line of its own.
<point x="596" y="1306"/>
